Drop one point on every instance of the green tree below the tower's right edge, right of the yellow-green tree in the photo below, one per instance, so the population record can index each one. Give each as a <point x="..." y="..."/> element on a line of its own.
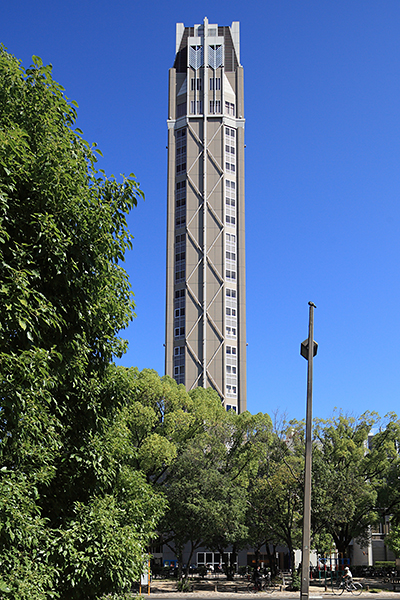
<point x="207" y="485"/>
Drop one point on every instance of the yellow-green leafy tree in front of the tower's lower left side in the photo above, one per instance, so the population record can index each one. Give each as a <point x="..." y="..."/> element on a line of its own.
<point x="158" y="431"/>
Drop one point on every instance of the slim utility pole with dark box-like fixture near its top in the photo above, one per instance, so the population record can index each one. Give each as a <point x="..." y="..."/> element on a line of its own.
<point x="308" y="350"/>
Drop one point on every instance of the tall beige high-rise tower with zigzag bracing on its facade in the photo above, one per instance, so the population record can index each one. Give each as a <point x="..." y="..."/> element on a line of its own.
<point x="205" y="343"/>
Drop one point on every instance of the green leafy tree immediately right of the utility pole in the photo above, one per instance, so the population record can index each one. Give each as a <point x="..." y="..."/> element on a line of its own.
<point x="345" y="473"/>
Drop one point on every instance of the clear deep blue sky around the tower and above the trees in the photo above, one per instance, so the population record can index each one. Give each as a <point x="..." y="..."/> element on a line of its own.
<point x="322" y="99"/>
